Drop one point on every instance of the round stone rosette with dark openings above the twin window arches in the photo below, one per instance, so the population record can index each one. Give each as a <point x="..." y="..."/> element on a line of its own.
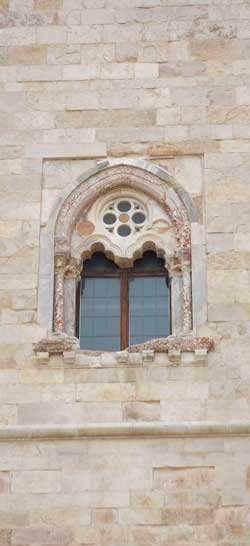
<point x="124" y="216"/>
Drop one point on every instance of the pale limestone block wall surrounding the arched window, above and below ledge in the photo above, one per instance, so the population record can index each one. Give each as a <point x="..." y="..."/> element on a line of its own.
<point x="168" y="81"/>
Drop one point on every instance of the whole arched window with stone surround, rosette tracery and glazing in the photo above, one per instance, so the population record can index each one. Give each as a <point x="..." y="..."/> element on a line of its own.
<point x="128" y="211"/>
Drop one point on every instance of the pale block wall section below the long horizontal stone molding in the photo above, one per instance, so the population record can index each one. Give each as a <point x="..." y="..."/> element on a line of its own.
<point x="144" y="492"/>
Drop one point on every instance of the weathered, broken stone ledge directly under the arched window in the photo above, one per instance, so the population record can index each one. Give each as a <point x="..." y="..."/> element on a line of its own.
<point x="186" y="350"/>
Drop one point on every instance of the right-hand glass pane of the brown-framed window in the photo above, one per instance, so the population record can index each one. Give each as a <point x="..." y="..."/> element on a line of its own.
<point x="148" y="309"/>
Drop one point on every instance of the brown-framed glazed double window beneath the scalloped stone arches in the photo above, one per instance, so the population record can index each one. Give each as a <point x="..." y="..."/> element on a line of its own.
<point x="118" y="307"/>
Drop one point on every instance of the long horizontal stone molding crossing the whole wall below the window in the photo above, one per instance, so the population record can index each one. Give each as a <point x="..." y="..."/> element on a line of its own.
<point x="125" y="430"/>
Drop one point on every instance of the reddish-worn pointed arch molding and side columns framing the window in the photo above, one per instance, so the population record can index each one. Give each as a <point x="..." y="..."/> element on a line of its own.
<point x="149" y="179"/>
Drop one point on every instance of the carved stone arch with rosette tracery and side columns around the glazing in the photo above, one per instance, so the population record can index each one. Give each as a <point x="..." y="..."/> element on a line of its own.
<point x="123" y="210"/>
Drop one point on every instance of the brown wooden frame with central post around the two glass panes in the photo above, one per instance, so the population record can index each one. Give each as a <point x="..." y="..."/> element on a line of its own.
<point x="124" y="275"/>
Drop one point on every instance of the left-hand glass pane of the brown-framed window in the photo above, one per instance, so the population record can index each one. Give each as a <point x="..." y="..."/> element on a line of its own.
<point x="100" y="314"/>
